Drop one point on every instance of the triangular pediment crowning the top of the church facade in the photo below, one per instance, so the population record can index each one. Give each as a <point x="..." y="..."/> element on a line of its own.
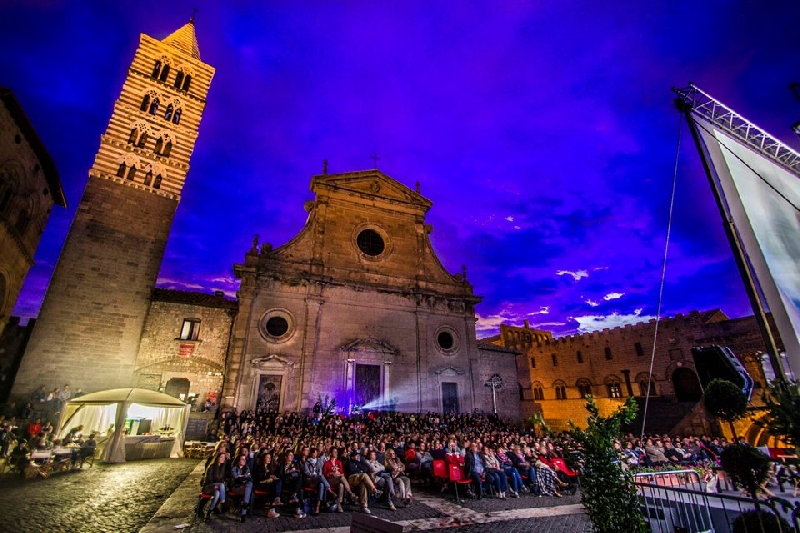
<point x="368" y="184"/>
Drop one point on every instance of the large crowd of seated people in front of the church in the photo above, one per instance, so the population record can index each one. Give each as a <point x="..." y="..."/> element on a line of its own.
<point x="373" y="457"/>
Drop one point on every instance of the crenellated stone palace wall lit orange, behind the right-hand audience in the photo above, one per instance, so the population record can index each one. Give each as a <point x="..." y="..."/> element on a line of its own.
<point x="621" y="357"/>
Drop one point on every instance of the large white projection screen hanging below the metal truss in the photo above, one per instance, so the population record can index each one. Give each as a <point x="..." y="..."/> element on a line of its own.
<point x="768" y="223"/>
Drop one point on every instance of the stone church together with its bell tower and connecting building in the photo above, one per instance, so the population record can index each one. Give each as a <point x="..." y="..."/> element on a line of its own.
<point x="356" y="307"/>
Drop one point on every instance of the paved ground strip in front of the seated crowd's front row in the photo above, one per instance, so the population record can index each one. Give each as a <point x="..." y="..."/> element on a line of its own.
<point x="429" y="511"/>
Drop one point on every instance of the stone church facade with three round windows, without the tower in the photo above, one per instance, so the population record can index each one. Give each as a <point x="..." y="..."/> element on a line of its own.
<point x="358" y="308"/>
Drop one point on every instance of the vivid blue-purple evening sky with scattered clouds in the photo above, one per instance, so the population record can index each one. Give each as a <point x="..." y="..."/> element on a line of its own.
<point x="544" y="135"/>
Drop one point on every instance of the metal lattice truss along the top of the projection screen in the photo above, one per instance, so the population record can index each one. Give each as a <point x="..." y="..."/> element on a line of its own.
<point x="715" y="112"/>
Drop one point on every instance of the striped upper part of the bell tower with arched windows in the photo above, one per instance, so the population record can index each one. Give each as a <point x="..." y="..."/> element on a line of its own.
<point x="154" y="127"/>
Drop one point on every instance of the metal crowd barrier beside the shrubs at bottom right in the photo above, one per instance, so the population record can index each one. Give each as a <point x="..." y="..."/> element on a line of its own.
<point x="676" y="502"/>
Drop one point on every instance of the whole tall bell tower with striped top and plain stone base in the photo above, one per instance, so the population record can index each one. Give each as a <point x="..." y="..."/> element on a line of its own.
<point x="88" y="330"/>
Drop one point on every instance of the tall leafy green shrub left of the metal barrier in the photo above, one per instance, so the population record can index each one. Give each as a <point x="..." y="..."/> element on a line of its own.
<point x="607" y="491"/>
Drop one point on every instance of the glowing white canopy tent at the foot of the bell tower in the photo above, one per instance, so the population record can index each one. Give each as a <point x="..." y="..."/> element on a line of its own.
<point x="104" y="413"/>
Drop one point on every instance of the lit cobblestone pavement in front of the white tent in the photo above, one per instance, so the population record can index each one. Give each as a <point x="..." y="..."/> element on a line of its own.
<point x="104" y="498"/>
